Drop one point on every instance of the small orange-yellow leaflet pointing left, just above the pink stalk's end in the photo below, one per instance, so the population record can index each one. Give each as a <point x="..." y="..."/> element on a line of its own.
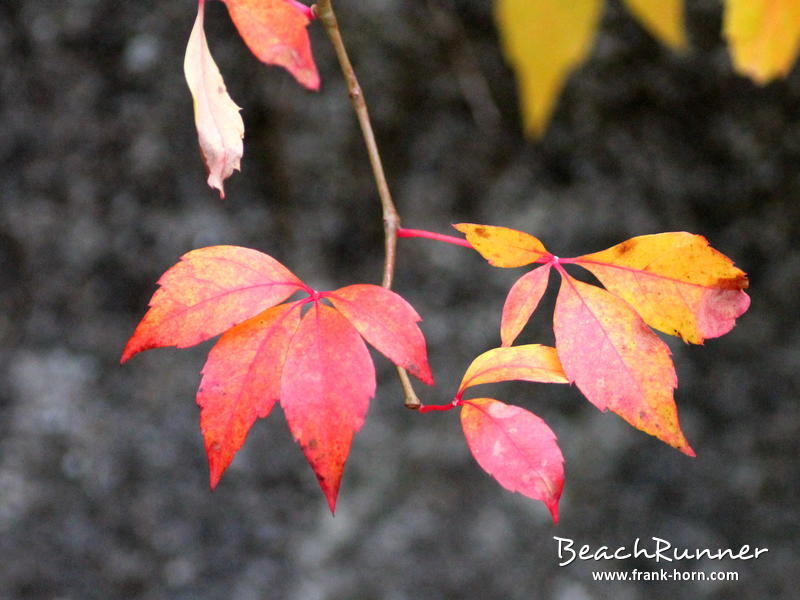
<point x="503" y="247"/>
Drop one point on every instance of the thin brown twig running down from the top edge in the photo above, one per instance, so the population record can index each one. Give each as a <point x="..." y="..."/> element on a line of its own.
<point x="391" y="219"/>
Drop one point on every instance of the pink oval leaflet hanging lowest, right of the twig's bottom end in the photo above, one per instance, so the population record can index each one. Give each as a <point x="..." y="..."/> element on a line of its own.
<point x="516" y="448"/>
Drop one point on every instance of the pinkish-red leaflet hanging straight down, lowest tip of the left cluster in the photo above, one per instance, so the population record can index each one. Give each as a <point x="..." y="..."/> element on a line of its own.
<point x="327" y="383"/>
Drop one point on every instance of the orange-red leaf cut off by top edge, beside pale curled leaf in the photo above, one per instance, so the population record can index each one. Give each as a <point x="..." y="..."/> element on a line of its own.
<point x="275" y="31"/>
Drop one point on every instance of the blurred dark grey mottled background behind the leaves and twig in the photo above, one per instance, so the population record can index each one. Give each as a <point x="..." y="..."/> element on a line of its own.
<point x="103" y="481"/>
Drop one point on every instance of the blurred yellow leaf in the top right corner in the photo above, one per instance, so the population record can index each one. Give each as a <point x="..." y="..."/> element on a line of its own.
<point x="763" y="36"/>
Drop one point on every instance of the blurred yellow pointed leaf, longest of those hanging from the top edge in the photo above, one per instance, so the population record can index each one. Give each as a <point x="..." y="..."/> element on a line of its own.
<point x="544" y="40"/>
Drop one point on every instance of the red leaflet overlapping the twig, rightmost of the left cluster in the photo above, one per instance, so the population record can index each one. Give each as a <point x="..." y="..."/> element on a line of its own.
<point x="387" y="322"/>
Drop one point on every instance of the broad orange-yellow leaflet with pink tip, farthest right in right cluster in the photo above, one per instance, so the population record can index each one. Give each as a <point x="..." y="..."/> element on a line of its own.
<point x="676" y="282"/>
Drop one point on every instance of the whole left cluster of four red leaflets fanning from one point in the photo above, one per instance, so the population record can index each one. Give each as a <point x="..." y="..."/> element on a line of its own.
<point x="316" y="365"/>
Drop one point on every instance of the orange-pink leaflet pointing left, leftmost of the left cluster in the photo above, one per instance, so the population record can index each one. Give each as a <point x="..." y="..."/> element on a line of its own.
<point x="207" y="292"/>
